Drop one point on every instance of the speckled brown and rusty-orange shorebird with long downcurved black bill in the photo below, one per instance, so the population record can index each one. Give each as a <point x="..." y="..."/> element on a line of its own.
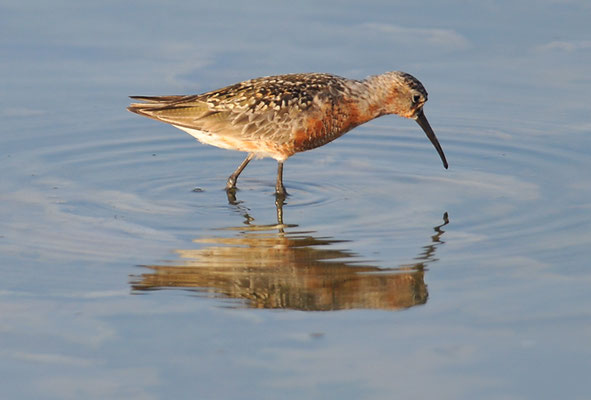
<point x="278" y="116"/>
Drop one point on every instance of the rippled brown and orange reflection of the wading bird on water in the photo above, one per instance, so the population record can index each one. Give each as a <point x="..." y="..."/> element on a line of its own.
<point x="278" y="266"/>
